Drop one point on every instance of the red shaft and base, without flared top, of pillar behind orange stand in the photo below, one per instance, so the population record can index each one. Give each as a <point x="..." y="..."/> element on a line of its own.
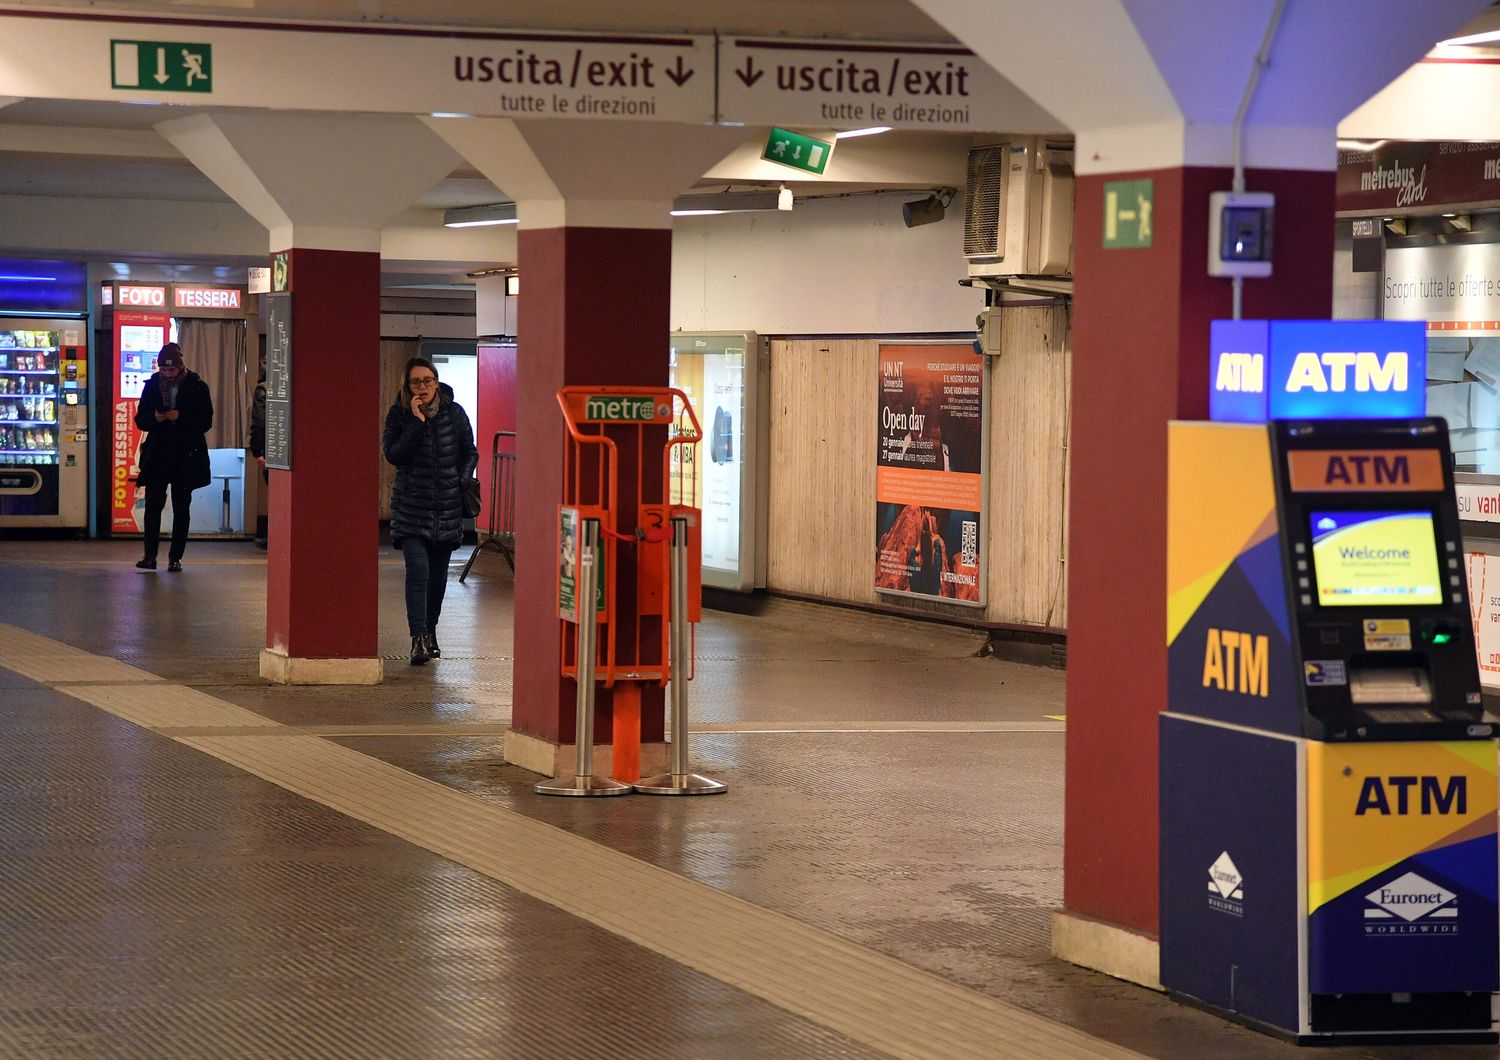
<point x="596" y="311"/>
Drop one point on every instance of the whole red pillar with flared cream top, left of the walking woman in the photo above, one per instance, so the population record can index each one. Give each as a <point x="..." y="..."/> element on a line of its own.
<point x="323" y="187"/>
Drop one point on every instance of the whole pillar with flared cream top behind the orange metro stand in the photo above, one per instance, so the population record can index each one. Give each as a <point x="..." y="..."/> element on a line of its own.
<point x="596" y="259"/>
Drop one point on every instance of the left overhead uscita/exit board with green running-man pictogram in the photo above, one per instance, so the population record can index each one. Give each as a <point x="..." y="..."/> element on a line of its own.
<point x="329" y="68"/>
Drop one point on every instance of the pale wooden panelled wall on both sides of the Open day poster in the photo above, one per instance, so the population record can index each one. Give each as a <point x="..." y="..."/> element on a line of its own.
<point x="823" y="442"/>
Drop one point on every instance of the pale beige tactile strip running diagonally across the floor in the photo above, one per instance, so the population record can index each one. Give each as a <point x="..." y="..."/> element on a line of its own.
<point x="869" y="998"/>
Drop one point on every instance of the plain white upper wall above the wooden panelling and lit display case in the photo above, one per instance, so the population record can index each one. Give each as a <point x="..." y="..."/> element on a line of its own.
<point x="841" y="266"/>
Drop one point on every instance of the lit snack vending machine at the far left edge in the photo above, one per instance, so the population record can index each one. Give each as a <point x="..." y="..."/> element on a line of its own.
<point x="44" y="424"/>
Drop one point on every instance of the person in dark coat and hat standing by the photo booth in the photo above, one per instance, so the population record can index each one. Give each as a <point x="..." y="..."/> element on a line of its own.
<point x="175" y="413"/>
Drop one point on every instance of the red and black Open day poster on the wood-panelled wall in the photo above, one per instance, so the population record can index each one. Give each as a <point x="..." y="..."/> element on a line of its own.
<point x="929" y="488"/>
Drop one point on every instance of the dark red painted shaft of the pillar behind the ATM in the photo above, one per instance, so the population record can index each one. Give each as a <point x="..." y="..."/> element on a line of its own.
<point x="1141" y="359"/>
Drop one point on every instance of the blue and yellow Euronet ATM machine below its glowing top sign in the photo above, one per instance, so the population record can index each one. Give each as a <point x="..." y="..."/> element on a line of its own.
<point x="1328" y="773"/>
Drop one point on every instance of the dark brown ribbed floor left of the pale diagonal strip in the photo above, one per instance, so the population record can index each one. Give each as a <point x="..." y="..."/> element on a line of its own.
<point x="158" y="903"/>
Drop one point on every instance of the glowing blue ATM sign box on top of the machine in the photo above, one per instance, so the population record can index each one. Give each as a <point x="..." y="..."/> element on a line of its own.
<point x="1318" y="371"/>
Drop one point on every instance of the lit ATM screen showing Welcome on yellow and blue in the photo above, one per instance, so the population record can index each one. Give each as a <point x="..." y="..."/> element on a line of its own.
<point x="1381" y="558"/>
